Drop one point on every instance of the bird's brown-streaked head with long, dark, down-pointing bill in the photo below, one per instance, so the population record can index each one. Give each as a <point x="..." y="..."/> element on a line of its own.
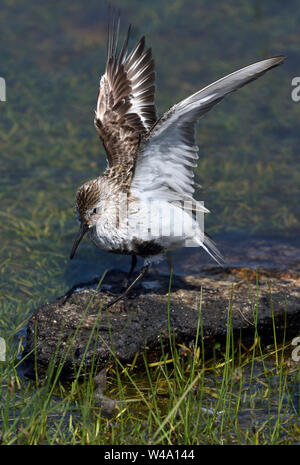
<point x="88" y="211"/>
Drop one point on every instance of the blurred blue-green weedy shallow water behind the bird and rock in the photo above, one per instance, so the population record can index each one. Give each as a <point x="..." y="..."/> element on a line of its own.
<point x="52" y="56"/>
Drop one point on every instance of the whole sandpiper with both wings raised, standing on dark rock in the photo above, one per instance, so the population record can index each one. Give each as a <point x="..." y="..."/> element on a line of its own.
<point x="145" y="196"/>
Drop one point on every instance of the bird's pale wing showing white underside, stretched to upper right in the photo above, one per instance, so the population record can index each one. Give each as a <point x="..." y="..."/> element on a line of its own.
<point x="164" y="164"/>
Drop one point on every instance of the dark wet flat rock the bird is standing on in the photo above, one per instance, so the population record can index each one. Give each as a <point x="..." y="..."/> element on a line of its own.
<point x="76" y="330"/>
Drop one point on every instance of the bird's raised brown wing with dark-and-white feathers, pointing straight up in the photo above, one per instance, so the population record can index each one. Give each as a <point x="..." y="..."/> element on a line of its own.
<point x="125" y="108"/>
